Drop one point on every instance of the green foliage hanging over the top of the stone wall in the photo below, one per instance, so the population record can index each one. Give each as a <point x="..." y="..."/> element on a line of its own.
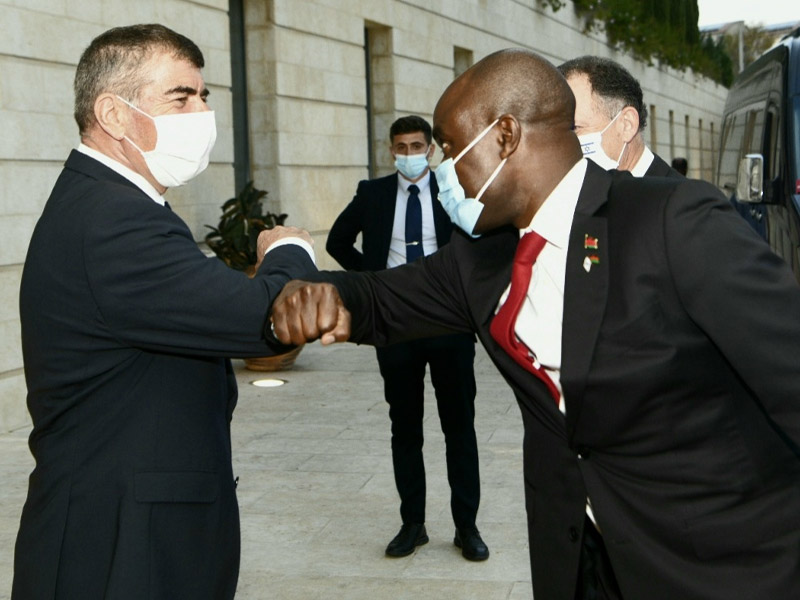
<point x="665" y="30"/>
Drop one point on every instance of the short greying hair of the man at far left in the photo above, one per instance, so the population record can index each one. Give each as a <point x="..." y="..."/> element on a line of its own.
<point x="113" y="61"/>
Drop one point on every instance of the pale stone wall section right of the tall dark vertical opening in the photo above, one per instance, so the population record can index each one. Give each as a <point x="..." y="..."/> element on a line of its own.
<point x="308" y="99"/>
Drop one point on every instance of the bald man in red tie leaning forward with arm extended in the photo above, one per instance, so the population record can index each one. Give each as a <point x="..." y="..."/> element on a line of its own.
<point x="652" y="346"/>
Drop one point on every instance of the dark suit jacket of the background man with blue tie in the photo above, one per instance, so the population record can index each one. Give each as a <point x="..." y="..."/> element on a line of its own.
<point x="371" y="213"/>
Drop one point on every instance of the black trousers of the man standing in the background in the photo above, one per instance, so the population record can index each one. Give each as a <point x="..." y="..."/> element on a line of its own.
<point x="402" y="367"/>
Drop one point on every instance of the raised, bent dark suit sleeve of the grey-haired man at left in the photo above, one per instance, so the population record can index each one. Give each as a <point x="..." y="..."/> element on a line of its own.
<point x="156" y="290"/>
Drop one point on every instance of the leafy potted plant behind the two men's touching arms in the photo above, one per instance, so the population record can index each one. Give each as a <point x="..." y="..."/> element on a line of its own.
<point x="234" y="240"/>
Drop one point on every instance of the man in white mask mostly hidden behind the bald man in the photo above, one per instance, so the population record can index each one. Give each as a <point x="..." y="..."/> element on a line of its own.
<point x="610" y="117"/>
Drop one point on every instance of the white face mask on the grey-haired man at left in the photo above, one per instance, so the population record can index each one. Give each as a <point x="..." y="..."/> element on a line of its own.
<point x="183" y="145"/>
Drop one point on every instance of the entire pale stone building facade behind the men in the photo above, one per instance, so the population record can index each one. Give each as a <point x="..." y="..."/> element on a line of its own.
<point x="304" y="92"/>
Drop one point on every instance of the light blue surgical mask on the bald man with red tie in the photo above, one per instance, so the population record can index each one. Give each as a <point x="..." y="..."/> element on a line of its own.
<point x="463" y="211"/>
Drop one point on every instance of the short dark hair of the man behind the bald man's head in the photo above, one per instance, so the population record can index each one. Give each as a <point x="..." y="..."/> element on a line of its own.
<point x="615" y="86"/>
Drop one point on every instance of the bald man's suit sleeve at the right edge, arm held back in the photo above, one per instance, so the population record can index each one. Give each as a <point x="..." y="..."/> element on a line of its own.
<point x="741" y="294"/>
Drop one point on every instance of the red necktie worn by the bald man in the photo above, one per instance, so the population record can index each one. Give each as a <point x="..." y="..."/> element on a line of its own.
<point x="502" y="326"/>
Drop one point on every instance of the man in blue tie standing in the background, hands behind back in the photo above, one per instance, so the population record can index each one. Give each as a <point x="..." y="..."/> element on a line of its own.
<point x="400" y="220"/>
